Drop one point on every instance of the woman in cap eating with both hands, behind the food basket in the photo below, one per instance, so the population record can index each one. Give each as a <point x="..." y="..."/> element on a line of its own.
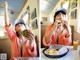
<point x="59" y="32"/>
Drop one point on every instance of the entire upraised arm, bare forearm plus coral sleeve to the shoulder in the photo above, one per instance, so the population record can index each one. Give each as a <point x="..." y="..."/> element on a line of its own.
<point x="10" y="32"/>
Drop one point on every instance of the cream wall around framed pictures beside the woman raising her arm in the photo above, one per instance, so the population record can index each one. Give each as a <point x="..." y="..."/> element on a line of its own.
<point x="34" y="4"/>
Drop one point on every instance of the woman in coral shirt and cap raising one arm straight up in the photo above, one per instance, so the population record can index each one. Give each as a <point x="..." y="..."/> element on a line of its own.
<point x="20" y="45"/>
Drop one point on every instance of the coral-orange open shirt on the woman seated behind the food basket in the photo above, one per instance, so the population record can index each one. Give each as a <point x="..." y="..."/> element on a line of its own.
<point x="62" y="39"/>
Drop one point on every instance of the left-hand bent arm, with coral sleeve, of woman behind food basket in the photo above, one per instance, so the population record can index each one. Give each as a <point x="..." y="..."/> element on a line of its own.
<point x="50" y="31"/>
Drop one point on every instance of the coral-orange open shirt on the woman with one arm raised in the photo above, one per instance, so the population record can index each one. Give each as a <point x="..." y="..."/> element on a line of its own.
<point x="15" y="49"/>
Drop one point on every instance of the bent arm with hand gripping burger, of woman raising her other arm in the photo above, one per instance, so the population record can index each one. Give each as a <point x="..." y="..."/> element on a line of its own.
<point x="31" y="44"/>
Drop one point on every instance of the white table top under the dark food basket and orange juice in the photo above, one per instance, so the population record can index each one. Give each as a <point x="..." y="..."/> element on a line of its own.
<point x="71" y="55"/>
